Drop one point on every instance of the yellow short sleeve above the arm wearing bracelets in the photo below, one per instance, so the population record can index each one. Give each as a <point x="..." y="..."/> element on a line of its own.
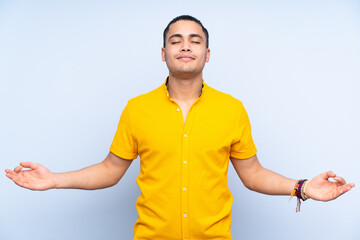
<point x="243" y="145"/>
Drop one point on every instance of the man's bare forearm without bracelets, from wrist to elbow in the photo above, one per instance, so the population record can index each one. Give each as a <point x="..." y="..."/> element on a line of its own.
<point x="93" y="177"/>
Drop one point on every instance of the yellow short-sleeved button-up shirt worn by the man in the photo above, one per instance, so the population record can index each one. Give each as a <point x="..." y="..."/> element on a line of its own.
<point x="183" y="176"/>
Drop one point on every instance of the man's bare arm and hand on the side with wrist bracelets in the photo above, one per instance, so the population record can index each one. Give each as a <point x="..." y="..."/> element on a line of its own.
<point x="262" y="180"/>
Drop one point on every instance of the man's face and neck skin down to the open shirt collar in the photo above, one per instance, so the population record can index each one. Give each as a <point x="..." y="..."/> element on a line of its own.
<point x="185" y="54"/>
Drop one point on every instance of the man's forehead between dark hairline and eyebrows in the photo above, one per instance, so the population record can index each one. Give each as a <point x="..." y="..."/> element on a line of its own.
<point x="185" y="27"/>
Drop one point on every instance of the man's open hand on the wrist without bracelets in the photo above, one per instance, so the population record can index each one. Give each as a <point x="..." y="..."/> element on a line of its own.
<point x="37" y="177"/>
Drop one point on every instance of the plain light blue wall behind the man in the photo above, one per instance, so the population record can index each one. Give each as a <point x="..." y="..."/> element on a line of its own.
<point x="67" y="69"/>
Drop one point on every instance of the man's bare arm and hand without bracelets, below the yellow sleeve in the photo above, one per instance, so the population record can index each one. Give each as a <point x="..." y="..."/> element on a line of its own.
<point x="101" y="175"/>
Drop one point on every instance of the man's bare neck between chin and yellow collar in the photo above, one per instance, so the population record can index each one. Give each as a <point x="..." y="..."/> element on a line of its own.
<point x="184" y="89"/>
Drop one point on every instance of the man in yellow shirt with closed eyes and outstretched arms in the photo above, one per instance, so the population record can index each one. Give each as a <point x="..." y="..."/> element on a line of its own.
<point x="185" y="132"/>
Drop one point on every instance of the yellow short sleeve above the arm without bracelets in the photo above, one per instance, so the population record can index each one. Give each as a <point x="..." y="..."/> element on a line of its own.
<point x="124" y="144"/>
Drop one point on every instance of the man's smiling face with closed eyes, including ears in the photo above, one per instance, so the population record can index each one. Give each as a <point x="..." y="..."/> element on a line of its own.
<point x="185" y="51"/>
